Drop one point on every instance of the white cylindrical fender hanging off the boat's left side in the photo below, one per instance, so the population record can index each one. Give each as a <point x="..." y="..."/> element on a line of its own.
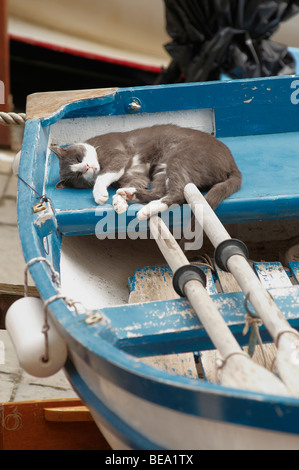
<point x="24" y="323"/>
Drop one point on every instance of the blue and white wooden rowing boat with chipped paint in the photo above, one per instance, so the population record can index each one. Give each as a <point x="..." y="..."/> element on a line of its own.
<point x="140" y="358"/>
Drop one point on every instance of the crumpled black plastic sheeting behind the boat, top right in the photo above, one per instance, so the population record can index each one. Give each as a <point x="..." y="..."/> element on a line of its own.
<point x="210" y="37"/>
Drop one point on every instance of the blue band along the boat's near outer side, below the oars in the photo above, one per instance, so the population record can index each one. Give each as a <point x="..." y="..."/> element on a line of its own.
<point x="179" y="393"/>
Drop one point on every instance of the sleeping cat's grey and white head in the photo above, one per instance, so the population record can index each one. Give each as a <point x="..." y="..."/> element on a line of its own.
<point x="78" y="165"/>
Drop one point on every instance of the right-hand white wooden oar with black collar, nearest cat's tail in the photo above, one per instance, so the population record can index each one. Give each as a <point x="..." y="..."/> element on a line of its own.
<point x="285" y="337"/>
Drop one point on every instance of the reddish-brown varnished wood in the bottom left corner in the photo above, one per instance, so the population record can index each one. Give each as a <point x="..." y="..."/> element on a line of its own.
<point x="24" y="426"/>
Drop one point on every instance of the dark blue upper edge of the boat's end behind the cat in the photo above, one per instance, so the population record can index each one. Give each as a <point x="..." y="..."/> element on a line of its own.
<point x="240" y="105"/>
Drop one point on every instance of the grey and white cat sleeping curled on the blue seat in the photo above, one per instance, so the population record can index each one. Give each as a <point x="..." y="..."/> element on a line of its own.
<point x="164" y="157"/>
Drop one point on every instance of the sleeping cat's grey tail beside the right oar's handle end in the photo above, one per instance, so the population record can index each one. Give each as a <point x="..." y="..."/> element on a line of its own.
<point x="218" y="193"/>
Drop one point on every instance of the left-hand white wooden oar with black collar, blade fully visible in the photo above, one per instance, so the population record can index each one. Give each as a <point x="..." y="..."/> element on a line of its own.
<point x="237" y="370"/>
